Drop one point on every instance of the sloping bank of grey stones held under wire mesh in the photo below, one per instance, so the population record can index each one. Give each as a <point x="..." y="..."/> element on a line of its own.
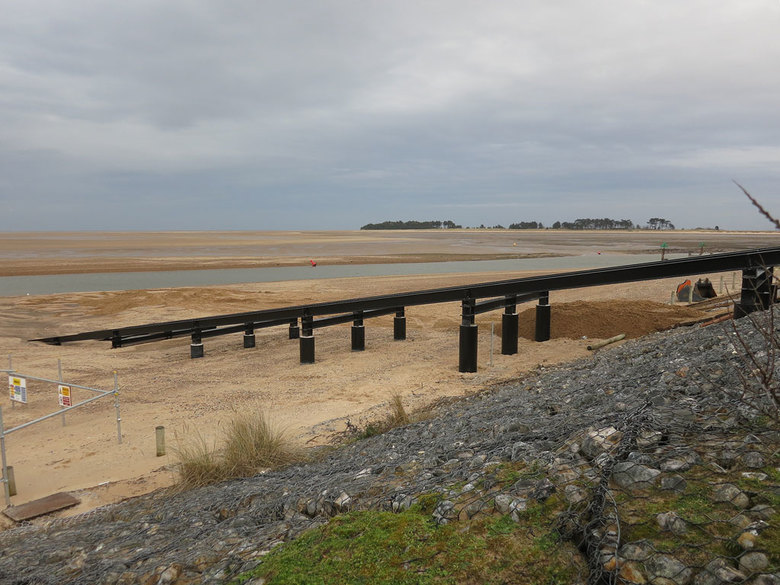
<point x="627" y="419"/>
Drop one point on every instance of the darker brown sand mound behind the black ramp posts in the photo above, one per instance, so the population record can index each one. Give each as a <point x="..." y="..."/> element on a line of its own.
<point x="603" y="319"/>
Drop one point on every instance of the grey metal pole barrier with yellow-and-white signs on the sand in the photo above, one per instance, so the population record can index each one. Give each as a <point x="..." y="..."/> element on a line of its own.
<point x="17" y="384"/>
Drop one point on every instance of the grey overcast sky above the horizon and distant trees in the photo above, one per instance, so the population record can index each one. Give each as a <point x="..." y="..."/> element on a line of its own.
<point x="187" y="114"/>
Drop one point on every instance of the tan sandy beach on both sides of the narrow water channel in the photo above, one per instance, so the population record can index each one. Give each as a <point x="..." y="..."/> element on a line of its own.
<point x="160" y="385"/>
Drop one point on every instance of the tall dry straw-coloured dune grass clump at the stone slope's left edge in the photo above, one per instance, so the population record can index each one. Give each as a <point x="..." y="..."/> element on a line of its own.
<point x="252" y="443"/>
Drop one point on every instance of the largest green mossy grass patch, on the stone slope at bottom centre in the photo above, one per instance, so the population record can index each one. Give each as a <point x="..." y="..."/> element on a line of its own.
<point x="378" y="548"/>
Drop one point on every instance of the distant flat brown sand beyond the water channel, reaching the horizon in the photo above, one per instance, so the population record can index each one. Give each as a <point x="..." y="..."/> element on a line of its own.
<point x="37" y="253"/>
